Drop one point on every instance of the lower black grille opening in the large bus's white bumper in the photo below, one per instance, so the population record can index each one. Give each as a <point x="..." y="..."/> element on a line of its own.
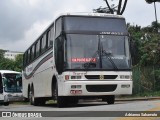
<point x="101" y="88"/>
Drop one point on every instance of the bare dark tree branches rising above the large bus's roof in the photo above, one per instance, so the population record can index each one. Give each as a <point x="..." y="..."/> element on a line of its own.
<point x="111" y="8"/>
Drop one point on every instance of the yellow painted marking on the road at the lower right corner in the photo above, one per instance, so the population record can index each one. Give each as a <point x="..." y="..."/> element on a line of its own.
<point x="157" y="108"/>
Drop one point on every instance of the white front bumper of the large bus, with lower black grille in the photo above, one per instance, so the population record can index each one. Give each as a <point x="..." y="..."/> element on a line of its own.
<point x="95" y="88"/>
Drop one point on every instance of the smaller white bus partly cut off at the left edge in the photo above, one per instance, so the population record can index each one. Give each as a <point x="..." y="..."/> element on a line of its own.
<point x="10" y="86"/>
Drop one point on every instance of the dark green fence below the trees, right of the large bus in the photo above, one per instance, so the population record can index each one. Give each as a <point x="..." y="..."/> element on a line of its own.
<point x="146" y="79"/>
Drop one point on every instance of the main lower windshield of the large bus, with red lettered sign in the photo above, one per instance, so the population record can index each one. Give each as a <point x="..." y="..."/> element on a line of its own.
<point x="103" y="51"/>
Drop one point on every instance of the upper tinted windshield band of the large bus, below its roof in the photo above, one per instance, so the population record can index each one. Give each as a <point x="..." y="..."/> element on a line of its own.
<point x="94" y="24"/>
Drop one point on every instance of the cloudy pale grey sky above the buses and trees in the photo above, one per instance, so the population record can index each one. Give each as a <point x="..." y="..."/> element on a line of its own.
<point x="22" y="21"/>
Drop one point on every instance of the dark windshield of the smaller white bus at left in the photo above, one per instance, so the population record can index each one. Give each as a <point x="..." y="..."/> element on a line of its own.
<point x="12" y="82"/>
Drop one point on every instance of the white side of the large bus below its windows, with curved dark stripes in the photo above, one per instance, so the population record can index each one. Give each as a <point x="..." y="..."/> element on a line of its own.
<point x="39" y="75"/>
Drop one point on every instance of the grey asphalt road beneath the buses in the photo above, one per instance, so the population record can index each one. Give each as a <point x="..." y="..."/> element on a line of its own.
<point x="86" y="111"/>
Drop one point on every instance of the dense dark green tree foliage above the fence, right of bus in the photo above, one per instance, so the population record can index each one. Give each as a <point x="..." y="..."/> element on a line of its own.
<point x="146" y="44"/>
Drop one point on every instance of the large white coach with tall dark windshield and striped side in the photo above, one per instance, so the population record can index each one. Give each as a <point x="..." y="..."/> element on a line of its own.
<point x="79" y="56"/>
